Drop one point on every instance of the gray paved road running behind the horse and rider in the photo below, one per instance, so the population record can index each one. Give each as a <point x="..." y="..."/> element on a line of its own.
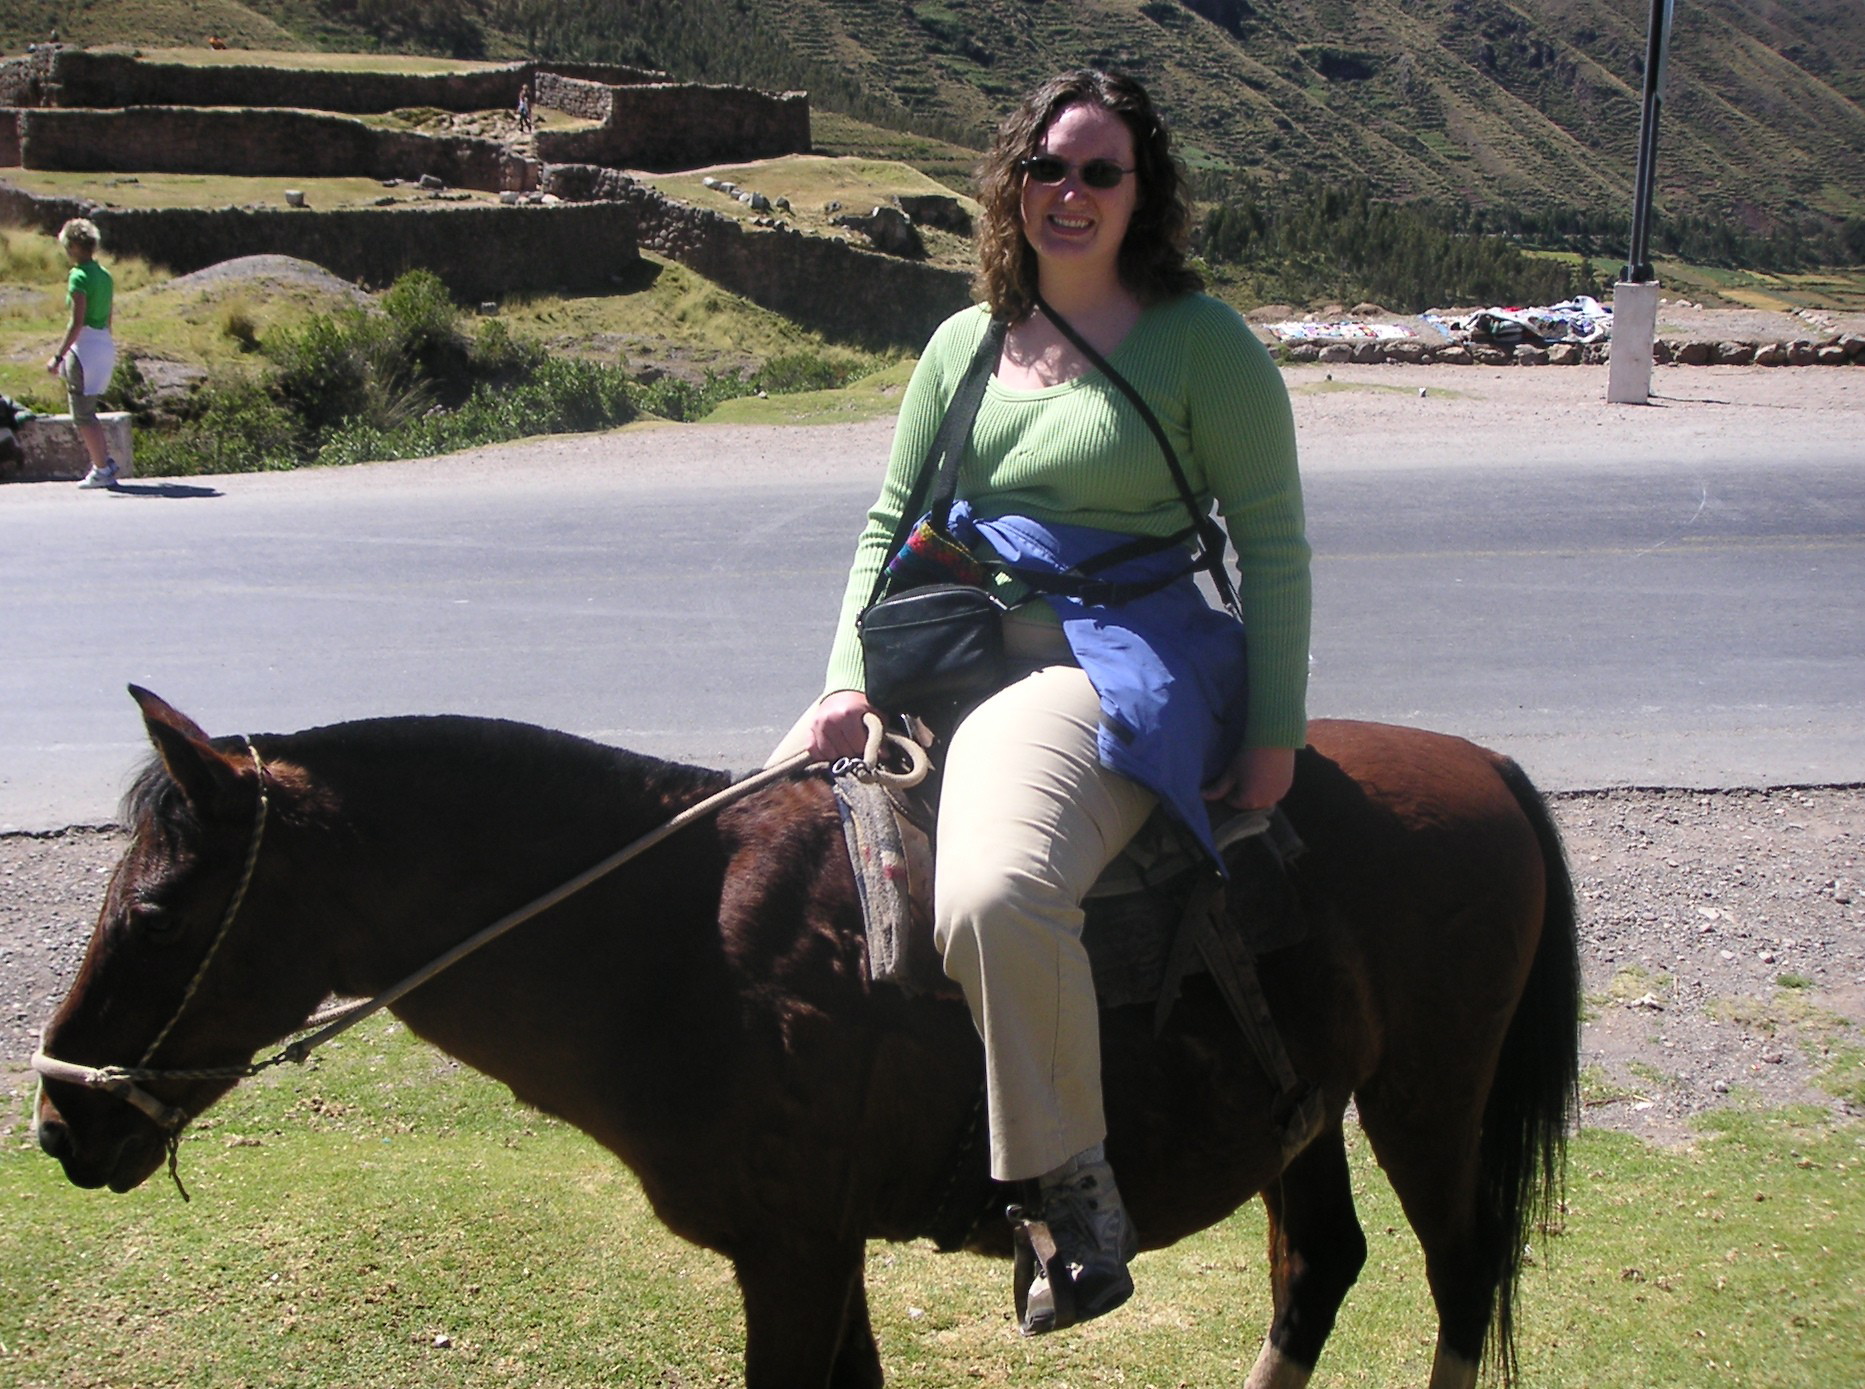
<point x="1646" y="622"/>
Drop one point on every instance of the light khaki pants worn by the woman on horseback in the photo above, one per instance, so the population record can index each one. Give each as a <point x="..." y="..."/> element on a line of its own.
<point x="1029" y="819"/>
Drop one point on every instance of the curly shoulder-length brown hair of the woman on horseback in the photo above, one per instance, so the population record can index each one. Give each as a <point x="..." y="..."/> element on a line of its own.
<point x="1154" y="262"/>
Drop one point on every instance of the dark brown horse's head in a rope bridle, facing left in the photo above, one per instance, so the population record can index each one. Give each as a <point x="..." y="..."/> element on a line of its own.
<point x="180" y="983"/>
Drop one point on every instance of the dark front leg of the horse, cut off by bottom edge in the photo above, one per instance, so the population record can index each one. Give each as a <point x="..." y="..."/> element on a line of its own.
<point x="807" y="1317"/>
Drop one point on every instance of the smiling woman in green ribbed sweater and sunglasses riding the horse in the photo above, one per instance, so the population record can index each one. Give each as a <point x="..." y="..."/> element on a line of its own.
<point x="1084" y="223"/>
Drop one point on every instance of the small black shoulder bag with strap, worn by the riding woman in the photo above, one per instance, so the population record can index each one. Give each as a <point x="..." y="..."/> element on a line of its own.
<point x="935" y="650"/>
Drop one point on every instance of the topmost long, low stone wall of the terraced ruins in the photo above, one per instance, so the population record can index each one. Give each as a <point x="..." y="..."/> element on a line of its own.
<point x="76" y="77"/>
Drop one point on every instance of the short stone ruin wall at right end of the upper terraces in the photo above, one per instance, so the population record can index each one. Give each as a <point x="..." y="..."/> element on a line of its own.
<point x="685" y="126"/>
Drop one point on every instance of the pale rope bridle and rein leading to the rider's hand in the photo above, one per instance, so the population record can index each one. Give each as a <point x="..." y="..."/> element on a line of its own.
<point x="124" y="1084"/>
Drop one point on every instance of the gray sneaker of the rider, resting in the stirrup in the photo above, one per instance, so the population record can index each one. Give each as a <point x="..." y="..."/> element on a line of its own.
<point x="1073" y="1248"/>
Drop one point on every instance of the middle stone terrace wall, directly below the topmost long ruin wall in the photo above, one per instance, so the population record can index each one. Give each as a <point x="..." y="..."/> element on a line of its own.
<point x="292" y="144"/>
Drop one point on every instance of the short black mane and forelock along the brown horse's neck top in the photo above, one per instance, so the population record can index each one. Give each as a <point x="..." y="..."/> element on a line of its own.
<point x="497" y="750"/>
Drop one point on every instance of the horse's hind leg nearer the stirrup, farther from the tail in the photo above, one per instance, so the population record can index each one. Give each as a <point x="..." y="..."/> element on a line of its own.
<point x="1316" y="1254"/>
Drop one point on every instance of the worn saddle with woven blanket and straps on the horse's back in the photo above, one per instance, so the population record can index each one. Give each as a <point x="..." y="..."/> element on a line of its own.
<point x="1155" y="916"/>
